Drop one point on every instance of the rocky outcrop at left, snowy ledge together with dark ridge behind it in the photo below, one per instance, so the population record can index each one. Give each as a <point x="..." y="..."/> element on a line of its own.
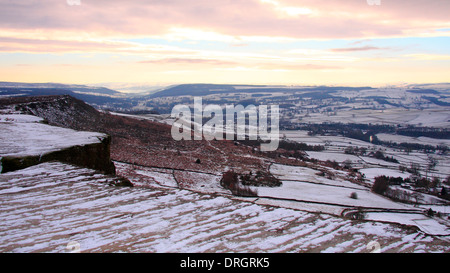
<point x="27" y="140"/>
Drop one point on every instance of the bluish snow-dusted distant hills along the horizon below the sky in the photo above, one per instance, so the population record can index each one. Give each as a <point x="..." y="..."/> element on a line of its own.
<point x="108" y="99"/>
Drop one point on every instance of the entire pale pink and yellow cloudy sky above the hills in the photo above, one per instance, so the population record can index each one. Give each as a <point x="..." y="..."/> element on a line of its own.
<point x="288" y="42"/>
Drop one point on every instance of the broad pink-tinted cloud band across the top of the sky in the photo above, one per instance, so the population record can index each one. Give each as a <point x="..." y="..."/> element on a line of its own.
<point x="329" y="19"/>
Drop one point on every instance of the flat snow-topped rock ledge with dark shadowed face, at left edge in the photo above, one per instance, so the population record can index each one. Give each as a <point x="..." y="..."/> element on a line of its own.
<point x="26" y="142"/>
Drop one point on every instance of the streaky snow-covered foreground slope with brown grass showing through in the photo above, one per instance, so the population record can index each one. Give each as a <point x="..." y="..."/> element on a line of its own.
<point x="53" y="206"/>
